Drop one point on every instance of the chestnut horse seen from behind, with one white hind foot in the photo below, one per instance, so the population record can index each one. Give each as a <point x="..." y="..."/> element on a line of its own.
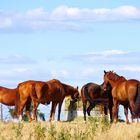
<point x="25" y="95"/>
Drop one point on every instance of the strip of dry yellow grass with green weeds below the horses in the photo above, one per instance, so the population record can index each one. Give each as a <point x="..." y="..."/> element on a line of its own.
<point x="93" y="129"/>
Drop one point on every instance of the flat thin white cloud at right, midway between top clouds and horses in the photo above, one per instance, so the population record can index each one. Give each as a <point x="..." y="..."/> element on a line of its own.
<point x="111" y="57"/>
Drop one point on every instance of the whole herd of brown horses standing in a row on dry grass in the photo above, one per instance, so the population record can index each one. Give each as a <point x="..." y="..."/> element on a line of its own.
<point x="114" y="91"/>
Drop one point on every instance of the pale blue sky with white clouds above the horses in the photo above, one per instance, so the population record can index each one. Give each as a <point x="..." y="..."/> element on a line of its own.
<point x="73" y="41"/>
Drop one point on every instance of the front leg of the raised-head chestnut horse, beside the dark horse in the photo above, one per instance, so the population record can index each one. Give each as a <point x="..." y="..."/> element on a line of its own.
<point x="115" y="110"/>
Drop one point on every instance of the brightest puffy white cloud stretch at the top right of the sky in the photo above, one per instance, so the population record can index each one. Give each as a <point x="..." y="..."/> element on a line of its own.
<point x="100" y="14"/>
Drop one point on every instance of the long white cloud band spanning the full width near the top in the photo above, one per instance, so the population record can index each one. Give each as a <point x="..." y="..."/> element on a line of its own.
<point x="64" y="17"/>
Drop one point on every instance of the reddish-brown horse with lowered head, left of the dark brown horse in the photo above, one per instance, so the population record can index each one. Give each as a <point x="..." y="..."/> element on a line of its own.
<point x="56" y="92"/>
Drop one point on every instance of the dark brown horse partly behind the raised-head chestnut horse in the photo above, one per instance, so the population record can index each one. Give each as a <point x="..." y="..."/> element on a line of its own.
<point x="95" y="95"/>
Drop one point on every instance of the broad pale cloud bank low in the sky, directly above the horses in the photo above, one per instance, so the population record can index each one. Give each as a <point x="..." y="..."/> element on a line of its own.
<point x="90" y="67"/>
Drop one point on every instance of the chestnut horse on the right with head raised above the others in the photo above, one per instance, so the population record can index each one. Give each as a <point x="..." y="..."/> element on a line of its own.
<point x="125" y="92"/>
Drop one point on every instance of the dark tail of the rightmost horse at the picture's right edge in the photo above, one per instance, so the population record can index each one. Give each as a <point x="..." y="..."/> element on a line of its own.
<point x="137" y="102"/>
